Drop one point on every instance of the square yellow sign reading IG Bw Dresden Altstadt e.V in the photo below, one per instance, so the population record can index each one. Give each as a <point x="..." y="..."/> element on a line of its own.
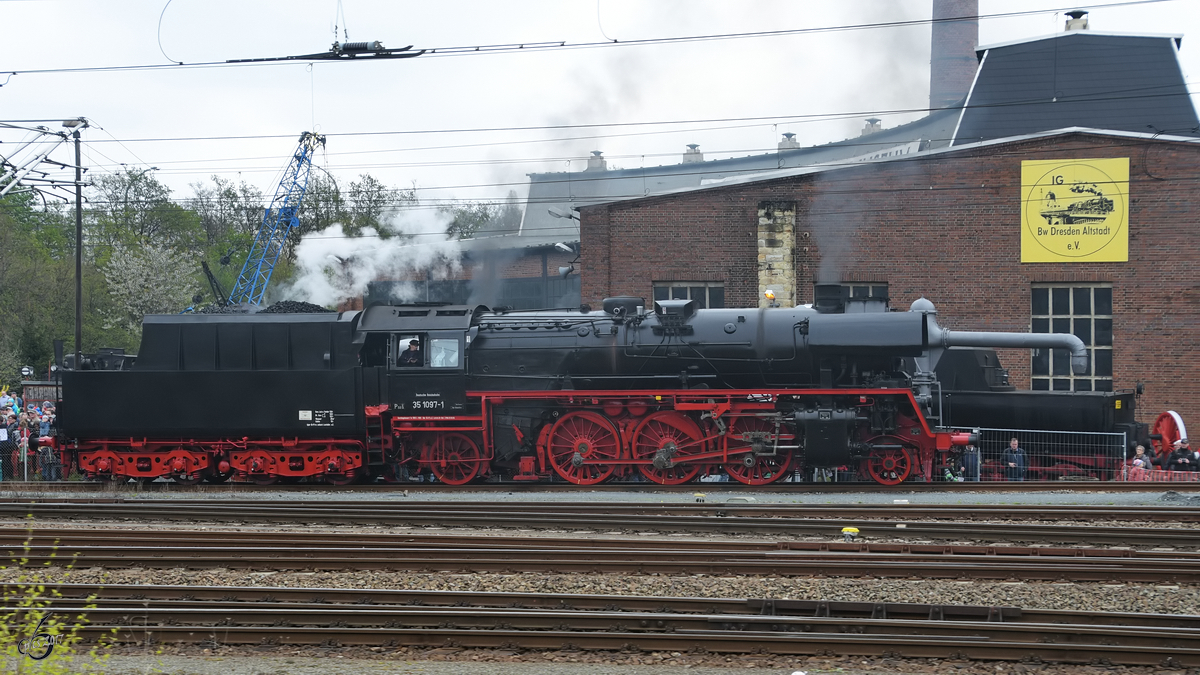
<point x="1076" y="211"/>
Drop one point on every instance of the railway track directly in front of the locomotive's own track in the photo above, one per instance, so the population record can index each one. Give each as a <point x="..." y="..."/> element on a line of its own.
<point x="874" y="523"/>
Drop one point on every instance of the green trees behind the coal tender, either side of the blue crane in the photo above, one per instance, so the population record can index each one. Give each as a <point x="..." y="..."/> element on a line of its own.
<point x="143" y="252"/>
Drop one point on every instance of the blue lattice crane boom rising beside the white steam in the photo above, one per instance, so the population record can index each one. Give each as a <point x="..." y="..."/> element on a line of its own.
<point x="278" y="223"/>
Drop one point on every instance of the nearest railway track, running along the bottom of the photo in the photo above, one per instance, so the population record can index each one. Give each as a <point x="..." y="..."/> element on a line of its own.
<point x="227" y="616"/>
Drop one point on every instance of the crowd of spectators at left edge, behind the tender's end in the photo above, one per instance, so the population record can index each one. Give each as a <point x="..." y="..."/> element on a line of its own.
<point x="21" y="425"/>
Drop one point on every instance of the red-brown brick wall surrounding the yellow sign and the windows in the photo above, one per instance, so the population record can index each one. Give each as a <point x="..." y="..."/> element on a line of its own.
<point x="947" y="228"/>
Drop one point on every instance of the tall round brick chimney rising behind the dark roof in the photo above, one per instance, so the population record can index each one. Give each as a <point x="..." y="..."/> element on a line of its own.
<point x="953" y="63"/>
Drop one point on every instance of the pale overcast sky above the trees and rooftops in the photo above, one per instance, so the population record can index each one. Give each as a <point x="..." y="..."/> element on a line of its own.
<point x="404" y="121"/>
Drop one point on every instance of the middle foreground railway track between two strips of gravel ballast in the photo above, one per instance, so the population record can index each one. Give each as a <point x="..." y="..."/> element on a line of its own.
<point x="280" y="552"/>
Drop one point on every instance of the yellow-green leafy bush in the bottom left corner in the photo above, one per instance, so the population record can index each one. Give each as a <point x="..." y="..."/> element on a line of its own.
<point x="29" y="624"/>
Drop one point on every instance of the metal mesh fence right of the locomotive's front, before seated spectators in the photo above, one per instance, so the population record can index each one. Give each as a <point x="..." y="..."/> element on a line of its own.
<point x="1049" y="456"/>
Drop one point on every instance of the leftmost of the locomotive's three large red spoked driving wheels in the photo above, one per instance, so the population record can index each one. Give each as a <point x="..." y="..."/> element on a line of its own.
<point x="579" y="443"/>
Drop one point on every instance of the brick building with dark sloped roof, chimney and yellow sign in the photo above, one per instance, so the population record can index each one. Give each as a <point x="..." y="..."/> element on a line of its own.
<point x="1057" y="196"/>
